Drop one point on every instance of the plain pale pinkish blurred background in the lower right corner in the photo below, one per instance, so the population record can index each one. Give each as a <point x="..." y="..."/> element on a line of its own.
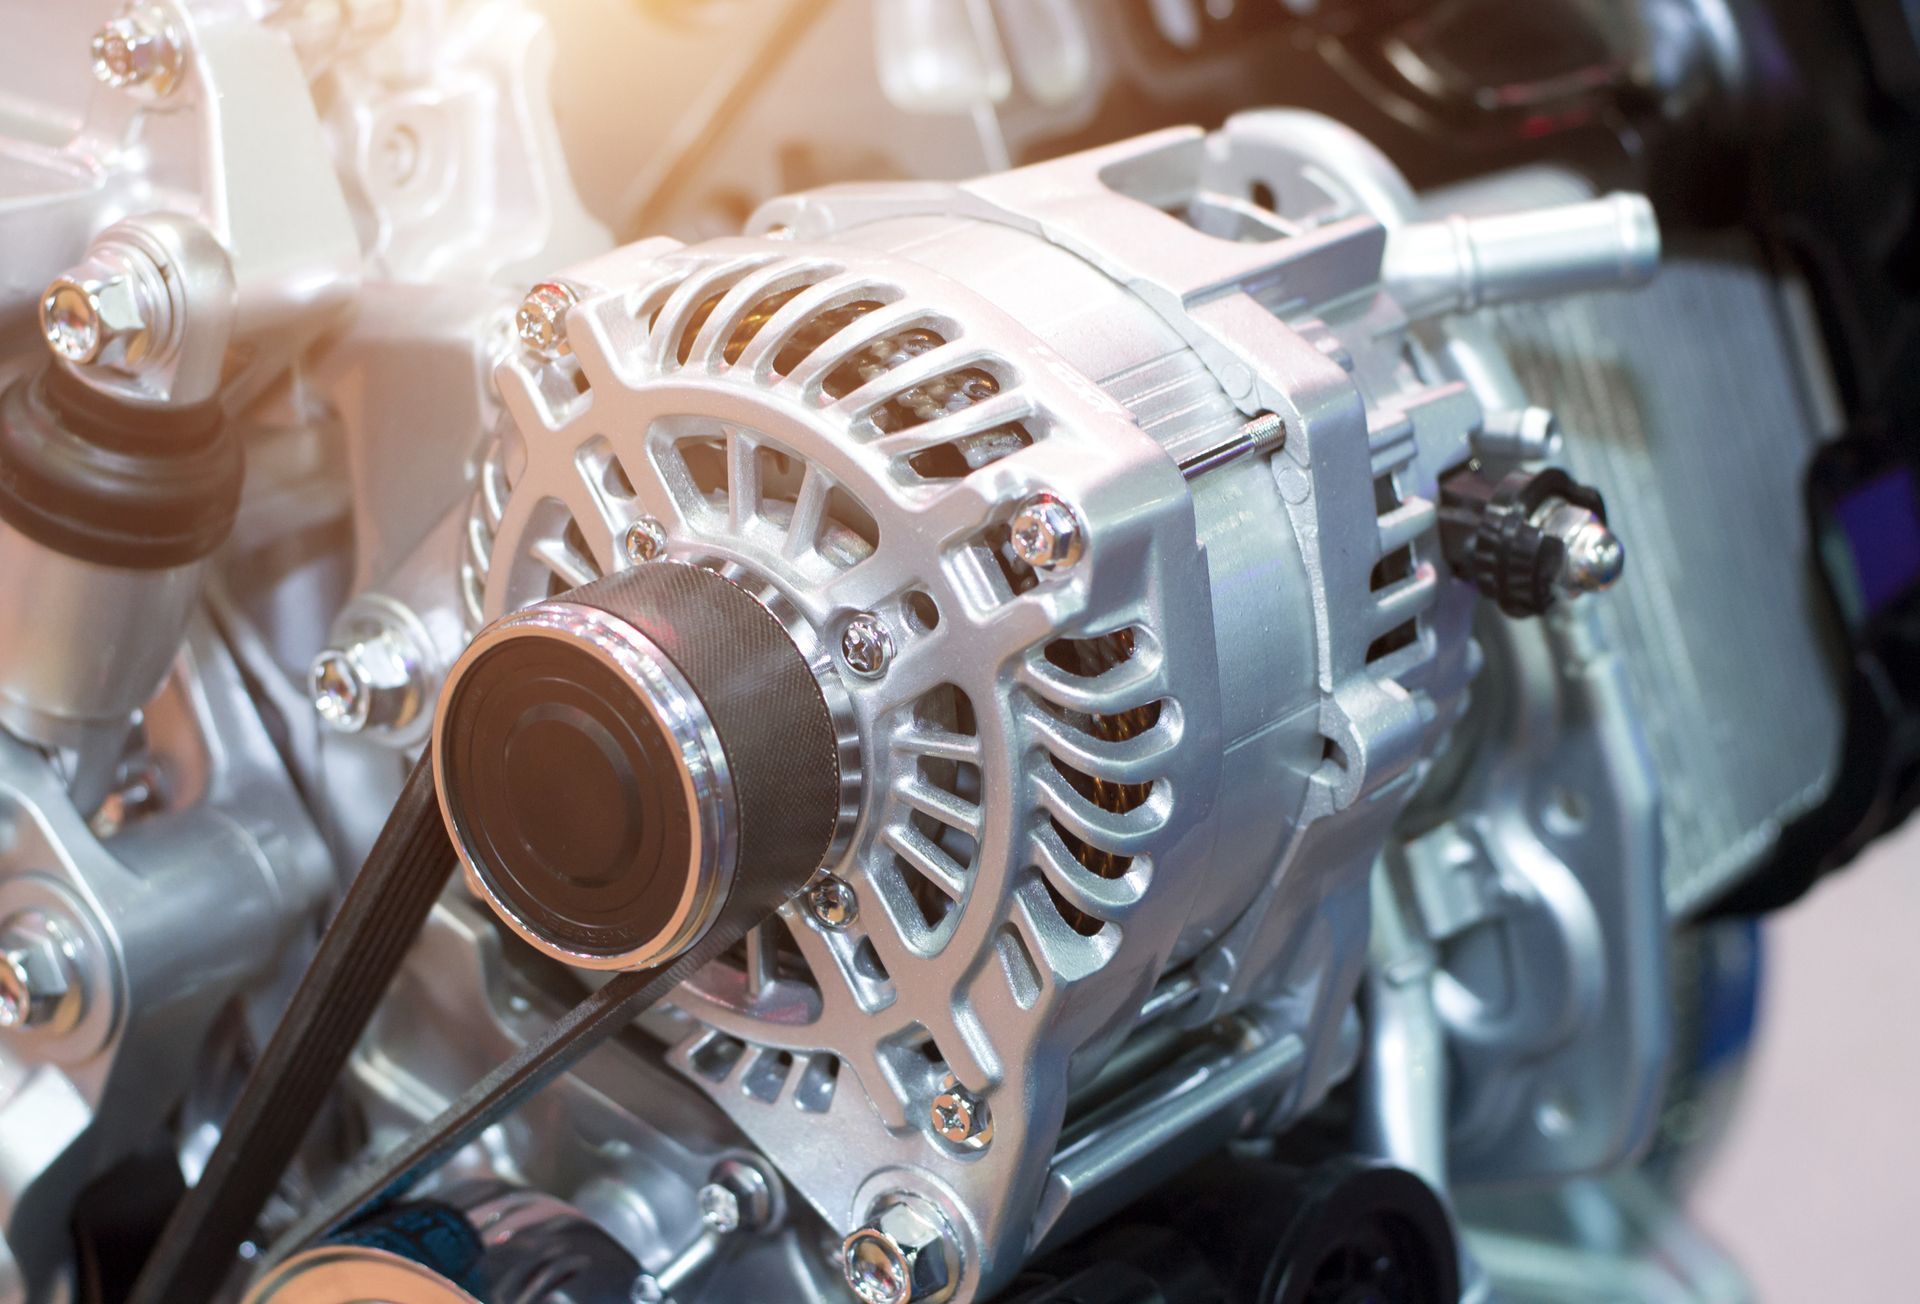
<point x="1817" y="1182"/>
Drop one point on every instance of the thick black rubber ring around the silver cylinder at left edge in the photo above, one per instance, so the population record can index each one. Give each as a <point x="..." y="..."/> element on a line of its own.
<point x="112" y="483"/>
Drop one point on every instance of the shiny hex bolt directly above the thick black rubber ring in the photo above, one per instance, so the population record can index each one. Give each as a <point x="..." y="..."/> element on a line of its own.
<point x="108" y="312"/>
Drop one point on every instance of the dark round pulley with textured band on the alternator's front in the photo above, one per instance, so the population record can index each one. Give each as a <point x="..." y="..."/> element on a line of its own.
<point x="567" y="796"/>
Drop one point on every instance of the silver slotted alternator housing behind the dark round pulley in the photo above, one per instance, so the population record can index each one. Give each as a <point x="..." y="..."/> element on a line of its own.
<point x="1101" y="498"/>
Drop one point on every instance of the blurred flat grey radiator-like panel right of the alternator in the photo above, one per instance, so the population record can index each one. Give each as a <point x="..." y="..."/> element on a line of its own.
<point x="1702" y="456"/>
